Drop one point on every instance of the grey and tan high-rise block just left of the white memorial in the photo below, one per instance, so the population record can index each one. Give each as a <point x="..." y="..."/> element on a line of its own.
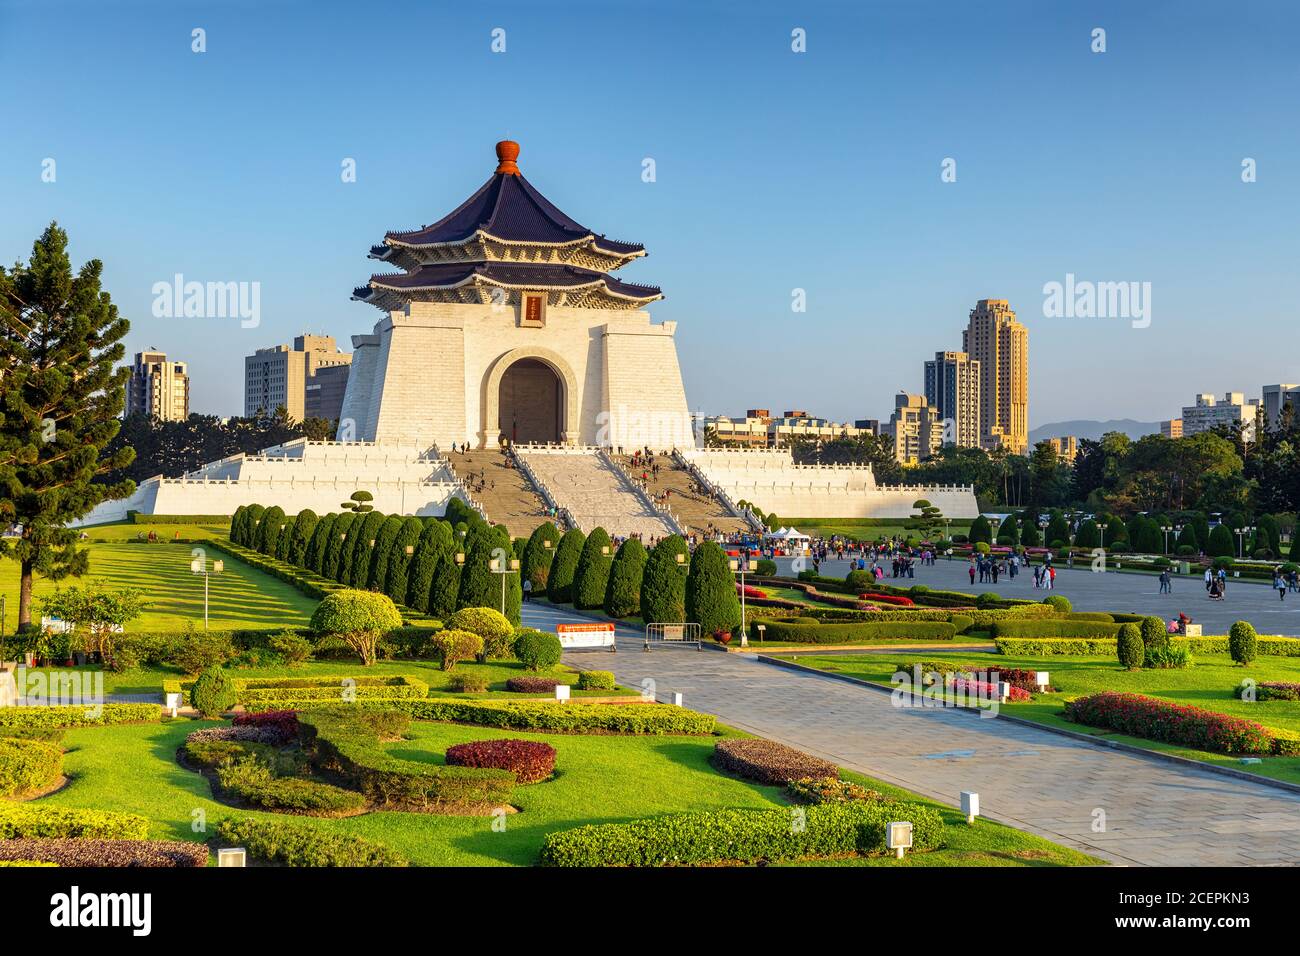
<point x="307" y="379"/>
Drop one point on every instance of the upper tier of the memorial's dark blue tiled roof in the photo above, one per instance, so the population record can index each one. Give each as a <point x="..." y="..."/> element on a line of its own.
<point x="510" y="209"/>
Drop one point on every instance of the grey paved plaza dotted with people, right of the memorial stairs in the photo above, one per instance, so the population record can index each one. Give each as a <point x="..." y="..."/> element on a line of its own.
<point x="1139" y="594"/>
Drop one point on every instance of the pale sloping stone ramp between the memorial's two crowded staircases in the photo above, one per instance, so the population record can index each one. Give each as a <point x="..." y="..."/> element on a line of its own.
<point x="596" y="492"/>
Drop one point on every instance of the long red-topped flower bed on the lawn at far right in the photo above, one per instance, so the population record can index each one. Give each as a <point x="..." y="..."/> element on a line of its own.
<point x="1175" y="724"/>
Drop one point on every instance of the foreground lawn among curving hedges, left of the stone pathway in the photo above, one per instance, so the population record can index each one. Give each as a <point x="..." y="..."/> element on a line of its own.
<point x="599" y="780"/>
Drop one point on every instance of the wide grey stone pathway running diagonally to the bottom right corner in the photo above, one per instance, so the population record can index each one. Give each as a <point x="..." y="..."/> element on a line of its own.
<point x="1155" y="814"/>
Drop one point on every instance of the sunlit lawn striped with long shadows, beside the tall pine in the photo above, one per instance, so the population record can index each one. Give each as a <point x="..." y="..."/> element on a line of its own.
<point x="240" y="598"/>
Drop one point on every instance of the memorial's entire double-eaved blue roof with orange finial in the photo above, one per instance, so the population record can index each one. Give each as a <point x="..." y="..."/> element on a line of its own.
<point x="505" y="236"/>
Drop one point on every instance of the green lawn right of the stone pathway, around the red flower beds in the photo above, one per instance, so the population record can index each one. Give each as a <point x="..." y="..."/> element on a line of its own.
<point x="1210" y="685"/>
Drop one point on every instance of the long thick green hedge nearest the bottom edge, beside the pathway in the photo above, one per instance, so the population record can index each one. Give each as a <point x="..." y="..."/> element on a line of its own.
<point x="742" y="836"/>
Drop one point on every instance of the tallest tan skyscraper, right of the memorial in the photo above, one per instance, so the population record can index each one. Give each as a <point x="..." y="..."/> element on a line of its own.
<point x="1002" y="347"/>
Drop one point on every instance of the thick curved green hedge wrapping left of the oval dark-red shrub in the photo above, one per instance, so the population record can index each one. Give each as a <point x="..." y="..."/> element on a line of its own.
<point x="349" y="743"/>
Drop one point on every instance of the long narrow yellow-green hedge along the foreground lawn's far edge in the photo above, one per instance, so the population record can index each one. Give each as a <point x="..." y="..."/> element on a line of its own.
<point x="652" y="720"/>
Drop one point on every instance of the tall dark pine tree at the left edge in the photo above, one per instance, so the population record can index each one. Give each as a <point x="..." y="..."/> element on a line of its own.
<point x="60" y="397"/>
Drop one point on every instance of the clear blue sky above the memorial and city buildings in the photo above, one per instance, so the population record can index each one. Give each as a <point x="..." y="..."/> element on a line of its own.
<point x="774" y="171"/>
